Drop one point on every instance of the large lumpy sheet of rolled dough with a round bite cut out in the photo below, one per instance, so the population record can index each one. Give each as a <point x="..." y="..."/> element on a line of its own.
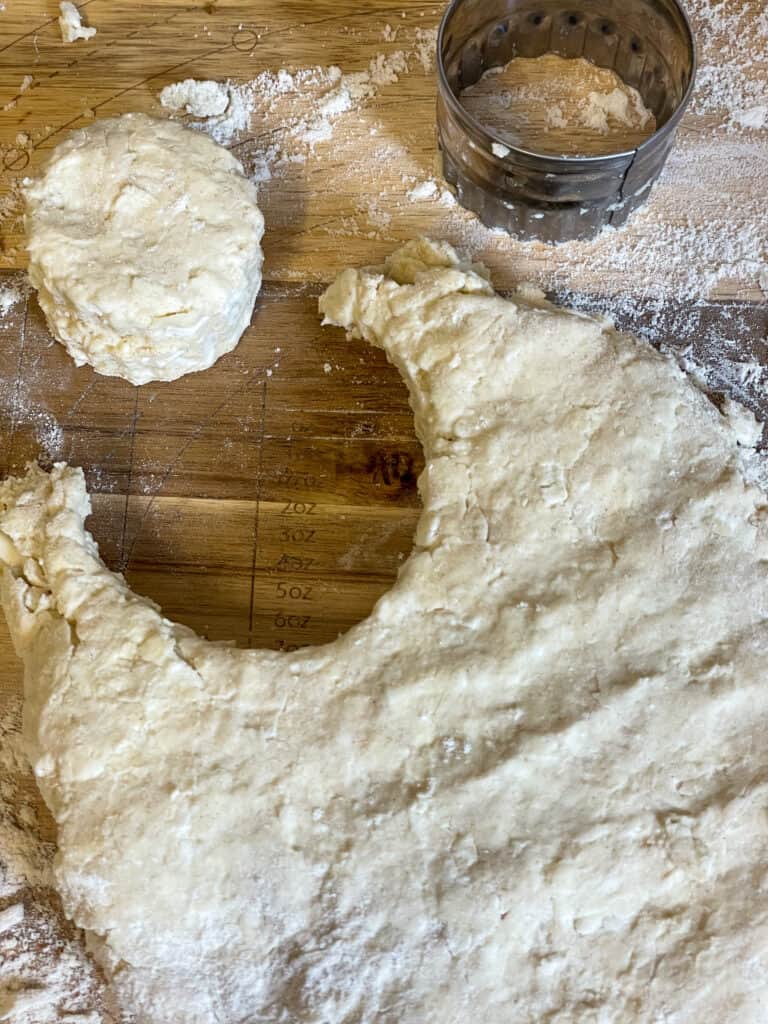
<point x="531" y="788"/>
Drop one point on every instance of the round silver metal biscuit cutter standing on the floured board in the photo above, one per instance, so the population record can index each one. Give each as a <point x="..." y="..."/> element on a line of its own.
<point x="649" y="44"/>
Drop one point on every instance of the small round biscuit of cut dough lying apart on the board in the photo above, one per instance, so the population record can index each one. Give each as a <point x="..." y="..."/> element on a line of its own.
<point x="145" y="247"/>
